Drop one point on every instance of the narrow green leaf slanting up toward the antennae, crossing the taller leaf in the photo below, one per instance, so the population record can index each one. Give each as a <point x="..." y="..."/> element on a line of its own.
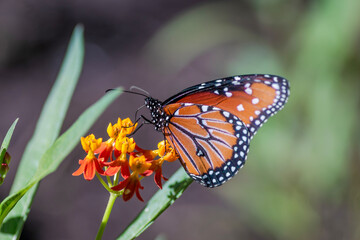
<point x="54" y="156"/>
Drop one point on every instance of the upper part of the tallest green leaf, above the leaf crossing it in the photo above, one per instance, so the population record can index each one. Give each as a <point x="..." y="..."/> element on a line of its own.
<point x="54" y="110"/>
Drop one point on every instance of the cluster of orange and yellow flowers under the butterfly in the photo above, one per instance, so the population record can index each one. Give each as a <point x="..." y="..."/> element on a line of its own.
<point x="120" y="155"/>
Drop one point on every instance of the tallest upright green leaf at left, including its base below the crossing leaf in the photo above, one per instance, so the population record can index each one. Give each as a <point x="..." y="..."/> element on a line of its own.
<point x="46" y="132"/>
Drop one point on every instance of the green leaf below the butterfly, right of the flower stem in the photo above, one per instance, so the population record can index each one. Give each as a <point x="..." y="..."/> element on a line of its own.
<point x="171" y="191"/>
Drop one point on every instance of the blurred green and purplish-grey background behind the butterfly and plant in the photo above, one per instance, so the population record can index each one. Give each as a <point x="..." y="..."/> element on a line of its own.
<point x="302" y="177"/>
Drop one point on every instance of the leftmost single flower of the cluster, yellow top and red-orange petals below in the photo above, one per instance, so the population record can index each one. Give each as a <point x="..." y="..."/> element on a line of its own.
<point x="90" y="163"/>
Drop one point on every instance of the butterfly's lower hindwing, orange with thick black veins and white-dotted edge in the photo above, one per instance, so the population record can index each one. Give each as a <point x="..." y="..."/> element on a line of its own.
<point x="212" y="143"/>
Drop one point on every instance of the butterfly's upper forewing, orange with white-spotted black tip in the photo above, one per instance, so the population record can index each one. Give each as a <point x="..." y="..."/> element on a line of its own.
<point x="252" y="98"/>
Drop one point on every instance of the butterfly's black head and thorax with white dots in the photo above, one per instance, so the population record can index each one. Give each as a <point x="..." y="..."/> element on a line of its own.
<point x="158" y="116"/>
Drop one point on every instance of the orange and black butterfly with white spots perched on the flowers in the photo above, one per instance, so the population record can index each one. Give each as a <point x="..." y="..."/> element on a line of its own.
<point x="210" y="125"/>
